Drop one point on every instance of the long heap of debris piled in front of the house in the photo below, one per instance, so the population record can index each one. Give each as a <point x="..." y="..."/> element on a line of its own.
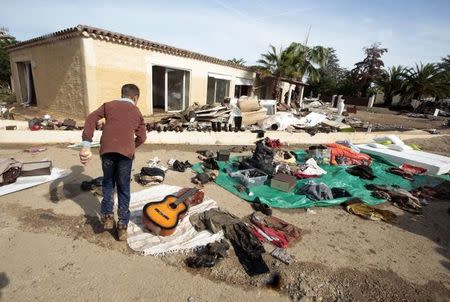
<point x="249" y="113"/>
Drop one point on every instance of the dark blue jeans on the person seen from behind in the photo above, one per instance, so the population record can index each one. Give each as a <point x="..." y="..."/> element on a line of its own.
<point x="116" y="172"/>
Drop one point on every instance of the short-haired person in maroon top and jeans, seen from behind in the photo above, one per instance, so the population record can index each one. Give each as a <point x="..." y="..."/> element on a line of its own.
<point x="123" y="132"/>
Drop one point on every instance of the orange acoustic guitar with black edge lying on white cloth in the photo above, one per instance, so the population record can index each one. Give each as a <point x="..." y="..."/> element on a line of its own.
<point x="161" y="217"/>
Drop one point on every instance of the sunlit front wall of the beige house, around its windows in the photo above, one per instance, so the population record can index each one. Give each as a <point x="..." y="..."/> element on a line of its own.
<point x="110" y="65"/>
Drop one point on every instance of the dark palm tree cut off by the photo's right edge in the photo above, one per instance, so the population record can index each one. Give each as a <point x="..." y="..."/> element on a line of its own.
<point x="426" y="80"/>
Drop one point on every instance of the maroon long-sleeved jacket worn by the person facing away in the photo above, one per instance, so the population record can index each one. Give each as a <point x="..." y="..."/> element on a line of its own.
<point x="124" y="121"/>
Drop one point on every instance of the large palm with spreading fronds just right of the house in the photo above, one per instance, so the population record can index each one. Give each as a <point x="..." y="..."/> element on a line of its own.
<point x="296" y="62"/>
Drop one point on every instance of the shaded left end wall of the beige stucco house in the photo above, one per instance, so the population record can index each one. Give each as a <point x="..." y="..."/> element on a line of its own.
<point x="57" y="69"/>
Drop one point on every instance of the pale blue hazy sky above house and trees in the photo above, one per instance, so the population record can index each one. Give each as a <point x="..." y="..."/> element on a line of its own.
<point x="413" y="31"/>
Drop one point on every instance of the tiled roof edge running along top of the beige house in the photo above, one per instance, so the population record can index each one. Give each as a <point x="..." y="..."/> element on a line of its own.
<point x="106" y="35"/>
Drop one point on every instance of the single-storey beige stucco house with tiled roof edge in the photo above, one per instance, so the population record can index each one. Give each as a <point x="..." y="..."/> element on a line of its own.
<point x="75" y="70"/>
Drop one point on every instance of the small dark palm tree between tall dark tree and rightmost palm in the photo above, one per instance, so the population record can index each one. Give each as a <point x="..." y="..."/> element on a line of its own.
<point x="391" y="82"/>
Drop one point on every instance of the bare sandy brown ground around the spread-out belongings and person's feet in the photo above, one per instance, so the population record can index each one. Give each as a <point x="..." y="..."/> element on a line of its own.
<point x="52" y="248"/>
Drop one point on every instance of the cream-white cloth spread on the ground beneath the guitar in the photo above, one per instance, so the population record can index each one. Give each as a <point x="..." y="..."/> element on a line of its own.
<point x="185" y="237"/>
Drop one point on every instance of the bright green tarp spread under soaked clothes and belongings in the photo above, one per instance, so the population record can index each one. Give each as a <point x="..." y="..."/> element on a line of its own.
<point x="336" y="177"/>
